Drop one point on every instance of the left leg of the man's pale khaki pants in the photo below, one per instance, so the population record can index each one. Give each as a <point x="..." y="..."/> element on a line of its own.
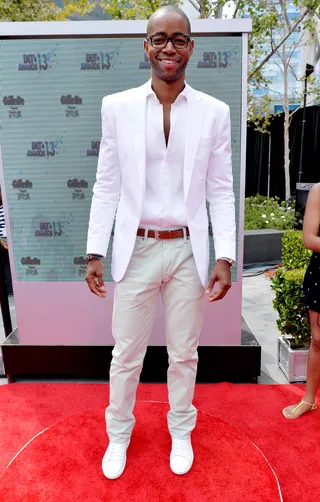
<point x="135" y="301"/>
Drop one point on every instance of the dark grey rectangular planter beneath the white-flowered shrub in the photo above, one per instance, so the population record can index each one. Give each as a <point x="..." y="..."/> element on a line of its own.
<point x="262" y="246"/>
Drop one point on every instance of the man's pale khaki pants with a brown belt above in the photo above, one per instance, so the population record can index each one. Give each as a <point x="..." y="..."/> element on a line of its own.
<point x="166" y="267"/>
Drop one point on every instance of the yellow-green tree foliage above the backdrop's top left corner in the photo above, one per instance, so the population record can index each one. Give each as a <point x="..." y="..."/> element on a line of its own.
<point x="42" y="10"/>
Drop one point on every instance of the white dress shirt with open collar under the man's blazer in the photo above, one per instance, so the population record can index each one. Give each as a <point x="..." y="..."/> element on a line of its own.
<point x="164" y="205"/>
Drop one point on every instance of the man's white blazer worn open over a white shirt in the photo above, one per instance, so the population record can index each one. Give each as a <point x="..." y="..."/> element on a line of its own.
<point x="121" y="178"/>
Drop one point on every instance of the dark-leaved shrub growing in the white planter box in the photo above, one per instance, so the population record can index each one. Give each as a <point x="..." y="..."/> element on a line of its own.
<point x="289" y="297"/>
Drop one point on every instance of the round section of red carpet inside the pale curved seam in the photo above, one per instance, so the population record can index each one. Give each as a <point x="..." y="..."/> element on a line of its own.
<point x="64" y="463"/>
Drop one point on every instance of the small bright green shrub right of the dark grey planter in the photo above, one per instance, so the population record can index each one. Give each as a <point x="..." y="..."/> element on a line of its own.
<point x="294" y="254"/>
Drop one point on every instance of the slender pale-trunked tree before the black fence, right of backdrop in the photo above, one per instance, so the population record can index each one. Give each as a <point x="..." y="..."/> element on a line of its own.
<point x="282" y="41"/>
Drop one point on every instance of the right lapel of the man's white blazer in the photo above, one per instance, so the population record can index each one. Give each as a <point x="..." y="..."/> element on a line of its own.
<point x="195" y="115"/>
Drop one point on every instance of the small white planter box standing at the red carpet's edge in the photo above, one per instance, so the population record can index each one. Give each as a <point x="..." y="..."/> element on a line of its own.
<point x="293" y="363"/>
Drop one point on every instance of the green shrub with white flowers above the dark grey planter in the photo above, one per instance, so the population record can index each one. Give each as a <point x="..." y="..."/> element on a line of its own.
<point x="263" y="212"/>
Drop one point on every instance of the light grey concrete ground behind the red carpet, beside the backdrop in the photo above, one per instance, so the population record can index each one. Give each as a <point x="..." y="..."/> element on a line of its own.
<point x="258" y="313"/>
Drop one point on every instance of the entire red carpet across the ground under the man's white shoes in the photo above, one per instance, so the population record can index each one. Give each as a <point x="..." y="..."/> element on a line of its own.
<point x="63" y="463"/>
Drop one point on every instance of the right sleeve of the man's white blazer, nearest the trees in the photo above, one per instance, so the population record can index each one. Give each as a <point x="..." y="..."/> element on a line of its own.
<point x="219" y="189"/>
